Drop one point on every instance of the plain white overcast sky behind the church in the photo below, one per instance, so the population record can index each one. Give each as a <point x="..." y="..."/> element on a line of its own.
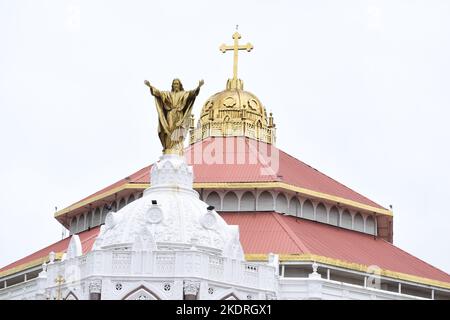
<point x="359" y="90"/>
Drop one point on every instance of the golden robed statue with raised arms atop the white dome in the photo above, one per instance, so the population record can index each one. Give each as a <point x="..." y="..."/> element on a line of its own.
<point x="174" y="110"/>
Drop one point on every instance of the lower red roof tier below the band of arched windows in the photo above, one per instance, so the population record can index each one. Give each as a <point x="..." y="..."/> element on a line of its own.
<point x="266" y="232"/>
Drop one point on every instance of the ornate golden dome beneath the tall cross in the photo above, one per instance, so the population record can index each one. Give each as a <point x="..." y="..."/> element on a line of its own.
<point x="234" y="112"/>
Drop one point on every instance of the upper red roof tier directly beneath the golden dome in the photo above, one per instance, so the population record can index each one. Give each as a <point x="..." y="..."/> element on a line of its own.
<point x="231" y="161"/>
